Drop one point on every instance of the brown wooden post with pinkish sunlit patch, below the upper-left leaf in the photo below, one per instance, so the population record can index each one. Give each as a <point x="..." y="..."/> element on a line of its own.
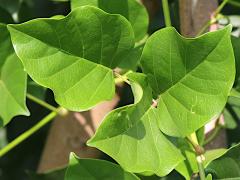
<point x="70" y="134"/>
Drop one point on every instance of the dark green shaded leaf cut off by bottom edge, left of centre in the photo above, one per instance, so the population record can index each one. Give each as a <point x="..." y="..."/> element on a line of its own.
<point x="92" y="169"/>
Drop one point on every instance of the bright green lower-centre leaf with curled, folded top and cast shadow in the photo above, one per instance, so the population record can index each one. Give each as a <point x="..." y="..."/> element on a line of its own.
<point x="130" y="135"/>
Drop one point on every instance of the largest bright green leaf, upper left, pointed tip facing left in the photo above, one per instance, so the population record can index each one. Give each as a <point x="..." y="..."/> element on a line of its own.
<point x="74" y="56"/>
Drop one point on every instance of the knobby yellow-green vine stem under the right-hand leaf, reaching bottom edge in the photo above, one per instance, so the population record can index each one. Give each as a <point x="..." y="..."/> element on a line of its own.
<point x="199" y="152"/>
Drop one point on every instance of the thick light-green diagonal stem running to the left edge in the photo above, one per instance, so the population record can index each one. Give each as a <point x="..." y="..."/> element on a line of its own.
<point x="28" y="133"/>
